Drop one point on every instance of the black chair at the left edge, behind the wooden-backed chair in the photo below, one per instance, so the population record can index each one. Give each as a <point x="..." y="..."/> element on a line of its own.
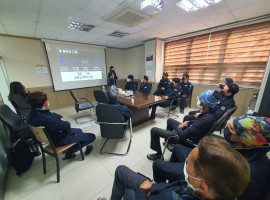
<point x="17" y="128"/>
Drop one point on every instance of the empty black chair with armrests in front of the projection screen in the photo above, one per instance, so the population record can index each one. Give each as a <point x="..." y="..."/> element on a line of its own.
<point x="80" y="105"/>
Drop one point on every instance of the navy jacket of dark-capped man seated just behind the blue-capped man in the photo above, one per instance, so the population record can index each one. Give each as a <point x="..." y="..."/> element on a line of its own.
<point x="226" y="102"/>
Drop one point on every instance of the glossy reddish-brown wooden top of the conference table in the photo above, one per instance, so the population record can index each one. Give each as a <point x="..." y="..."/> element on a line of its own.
<point x="140" y="100"/>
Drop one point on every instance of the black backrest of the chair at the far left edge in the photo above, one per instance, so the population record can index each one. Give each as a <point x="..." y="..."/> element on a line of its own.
<point x="12" y="120"/>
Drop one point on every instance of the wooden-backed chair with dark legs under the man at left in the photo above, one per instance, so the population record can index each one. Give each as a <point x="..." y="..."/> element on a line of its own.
<point x="42" y="138"/>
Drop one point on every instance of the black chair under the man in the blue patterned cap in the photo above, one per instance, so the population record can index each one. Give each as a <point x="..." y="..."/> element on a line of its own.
<point x="191" y="144"/>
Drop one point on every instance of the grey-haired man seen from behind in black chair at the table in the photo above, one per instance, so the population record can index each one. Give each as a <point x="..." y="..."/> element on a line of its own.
<point x="112" y="96"/>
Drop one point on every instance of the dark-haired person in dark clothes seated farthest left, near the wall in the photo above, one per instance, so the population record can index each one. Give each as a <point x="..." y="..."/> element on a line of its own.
<point x="19" y="96"/>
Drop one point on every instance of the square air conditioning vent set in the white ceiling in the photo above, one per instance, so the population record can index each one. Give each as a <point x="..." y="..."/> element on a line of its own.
<point x="128" y="15"/>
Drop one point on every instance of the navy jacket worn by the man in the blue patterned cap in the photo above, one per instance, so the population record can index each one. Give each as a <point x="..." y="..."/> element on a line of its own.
<point x="199" y="127"/>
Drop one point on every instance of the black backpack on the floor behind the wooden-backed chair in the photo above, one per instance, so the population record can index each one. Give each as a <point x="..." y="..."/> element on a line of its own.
<point x="19" y="156"/>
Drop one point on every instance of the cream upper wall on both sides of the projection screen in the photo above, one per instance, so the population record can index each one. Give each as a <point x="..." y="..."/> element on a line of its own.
<point x="21" y="55"/>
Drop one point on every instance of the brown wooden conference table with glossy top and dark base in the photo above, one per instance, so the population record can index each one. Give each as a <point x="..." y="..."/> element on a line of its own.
<point x="139" y="103"/>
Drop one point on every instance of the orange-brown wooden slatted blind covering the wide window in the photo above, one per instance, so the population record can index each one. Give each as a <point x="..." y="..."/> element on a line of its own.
<point x="239" y="53"/>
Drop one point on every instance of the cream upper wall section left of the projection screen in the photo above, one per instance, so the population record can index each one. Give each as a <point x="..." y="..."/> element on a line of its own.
<point x="20" y="57"/>
